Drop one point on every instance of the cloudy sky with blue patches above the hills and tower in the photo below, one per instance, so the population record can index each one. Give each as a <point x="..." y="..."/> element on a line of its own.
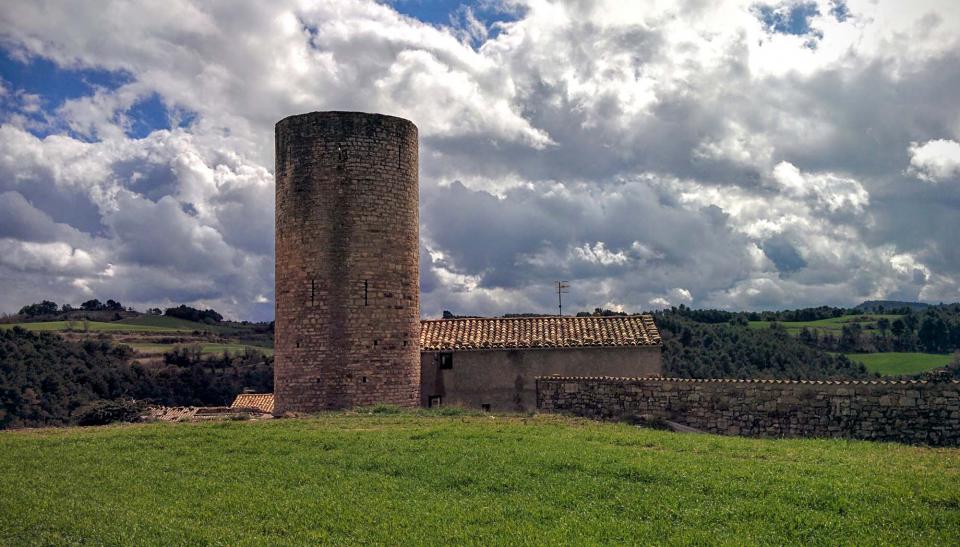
<point x="724" y="154"/>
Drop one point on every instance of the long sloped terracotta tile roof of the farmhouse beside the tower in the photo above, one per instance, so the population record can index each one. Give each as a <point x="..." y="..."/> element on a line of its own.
<point x="538" y="332"/>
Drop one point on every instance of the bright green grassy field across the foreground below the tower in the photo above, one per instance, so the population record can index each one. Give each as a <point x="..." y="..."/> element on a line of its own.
<point x="401" y="479"/>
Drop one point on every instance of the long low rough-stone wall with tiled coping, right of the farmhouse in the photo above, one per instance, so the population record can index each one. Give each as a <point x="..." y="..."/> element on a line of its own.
<point x="910" y="411"/>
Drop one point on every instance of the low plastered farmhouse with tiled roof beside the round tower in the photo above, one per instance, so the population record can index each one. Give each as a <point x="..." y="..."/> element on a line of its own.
<point x="492" y="363"/>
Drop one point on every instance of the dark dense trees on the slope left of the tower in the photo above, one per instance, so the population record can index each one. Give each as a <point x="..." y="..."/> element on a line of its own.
<point x="46" y="380"/>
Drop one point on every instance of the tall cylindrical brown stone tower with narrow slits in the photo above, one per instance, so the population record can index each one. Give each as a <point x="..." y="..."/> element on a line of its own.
<point x="347" y="262"/>
